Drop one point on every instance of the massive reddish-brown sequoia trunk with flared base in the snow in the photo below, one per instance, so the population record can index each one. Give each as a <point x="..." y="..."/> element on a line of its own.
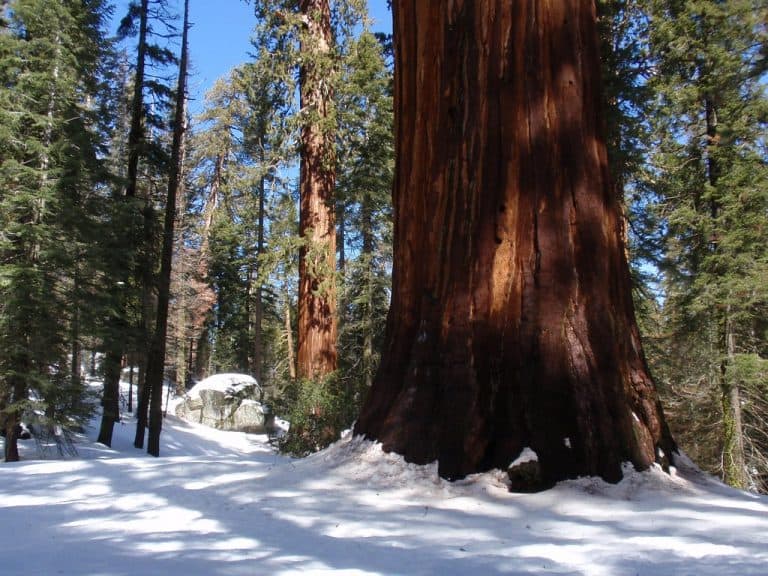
<point x="511" y="323"/>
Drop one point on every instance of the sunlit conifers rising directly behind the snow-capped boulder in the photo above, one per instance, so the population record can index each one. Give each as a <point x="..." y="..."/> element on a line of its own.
<point x="237" y="150"/>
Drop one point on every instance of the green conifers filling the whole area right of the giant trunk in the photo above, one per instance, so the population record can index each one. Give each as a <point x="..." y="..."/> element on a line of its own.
<point x="684" y="88"/>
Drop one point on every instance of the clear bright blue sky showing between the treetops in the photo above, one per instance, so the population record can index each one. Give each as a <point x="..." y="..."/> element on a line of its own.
<point x="220" y="37"/>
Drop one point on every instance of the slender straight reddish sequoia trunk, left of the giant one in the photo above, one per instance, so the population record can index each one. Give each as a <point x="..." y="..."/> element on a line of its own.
<point x="317" y="330"/>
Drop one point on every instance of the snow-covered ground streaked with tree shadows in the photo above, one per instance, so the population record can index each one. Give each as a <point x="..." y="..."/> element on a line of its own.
<point x="226" y="503"/>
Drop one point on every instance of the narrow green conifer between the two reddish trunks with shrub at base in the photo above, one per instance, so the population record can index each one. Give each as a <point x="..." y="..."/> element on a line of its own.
<point x="320" y="411"/>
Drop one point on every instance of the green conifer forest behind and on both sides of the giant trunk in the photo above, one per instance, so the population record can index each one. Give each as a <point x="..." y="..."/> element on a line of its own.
<point x="87" y="163"/>
